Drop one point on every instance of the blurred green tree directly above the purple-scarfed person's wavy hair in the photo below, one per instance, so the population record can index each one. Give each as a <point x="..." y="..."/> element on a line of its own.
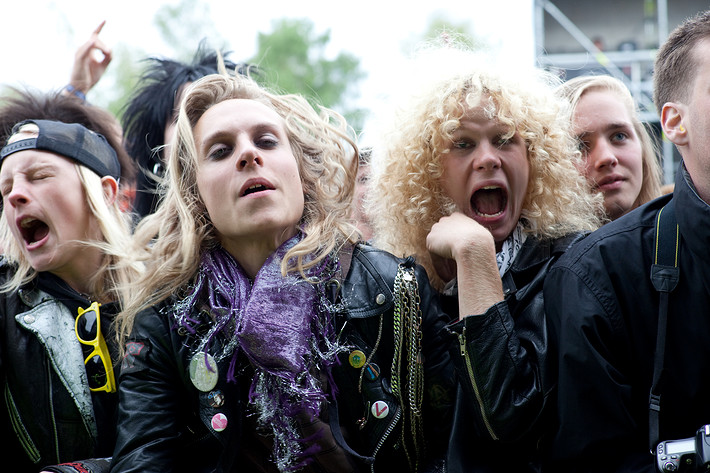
<point x="293" y="59"/>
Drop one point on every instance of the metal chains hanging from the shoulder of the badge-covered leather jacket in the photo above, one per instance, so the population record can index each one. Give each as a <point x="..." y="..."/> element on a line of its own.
<point x="407" y="343"/>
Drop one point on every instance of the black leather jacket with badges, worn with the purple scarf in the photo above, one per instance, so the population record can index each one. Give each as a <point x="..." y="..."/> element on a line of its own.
<point x="164" y="421"/>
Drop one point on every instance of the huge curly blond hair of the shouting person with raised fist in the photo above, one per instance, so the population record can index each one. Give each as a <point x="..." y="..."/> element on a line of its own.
<point x="406" y="196"/>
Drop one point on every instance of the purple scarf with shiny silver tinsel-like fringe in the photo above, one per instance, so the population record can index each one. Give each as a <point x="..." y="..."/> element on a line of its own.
<point x="284" y="325"/>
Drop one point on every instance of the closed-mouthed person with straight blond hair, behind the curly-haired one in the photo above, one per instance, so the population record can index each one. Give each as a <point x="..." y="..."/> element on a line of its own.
<point x="620" y="158"/>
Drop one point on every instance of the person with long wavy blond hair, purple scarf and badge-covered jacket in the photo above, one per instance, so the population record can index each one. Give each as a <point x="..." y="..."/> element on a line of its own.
<point x="263" y="336"/>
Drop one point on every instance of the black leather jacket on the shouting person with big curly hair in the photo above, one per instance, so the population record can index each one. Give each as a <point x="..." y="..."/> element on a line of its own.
<point x="504" y="401"/>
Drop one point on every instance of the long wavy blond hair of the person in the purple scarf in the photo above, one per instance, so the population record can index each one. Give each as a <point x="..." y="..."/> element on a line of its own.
<point x="172" y="240"/>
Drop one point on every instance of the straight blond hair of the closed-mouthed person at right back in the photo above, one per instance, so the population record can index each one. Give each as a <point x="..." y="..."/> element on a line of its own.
<point x="573" y="91"/>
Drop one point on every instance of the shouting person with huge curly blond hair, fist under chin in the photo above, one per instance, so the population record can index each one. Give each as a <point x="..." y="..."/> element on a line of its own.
<point x="475" y="175"/>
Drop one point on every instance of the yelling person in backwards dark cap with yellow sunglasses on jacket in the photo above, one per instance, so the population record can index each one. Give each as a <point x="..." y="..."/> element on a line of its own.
<point x="61" y="280"/>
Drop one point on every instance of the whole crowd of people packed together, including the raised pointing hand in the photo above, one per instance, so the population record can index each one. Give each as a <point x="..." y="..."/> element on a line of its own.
<point x="224" y="280"/>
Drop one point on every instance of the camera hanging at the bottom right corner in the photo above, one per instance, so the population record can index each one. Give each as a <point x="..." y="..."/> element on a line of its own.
<point x="685" y="455"/>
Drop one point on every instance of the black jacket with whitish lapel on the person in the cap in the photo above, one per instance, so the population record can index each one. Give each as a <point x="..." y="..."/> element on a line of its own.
<point x="48" y="414"/>
